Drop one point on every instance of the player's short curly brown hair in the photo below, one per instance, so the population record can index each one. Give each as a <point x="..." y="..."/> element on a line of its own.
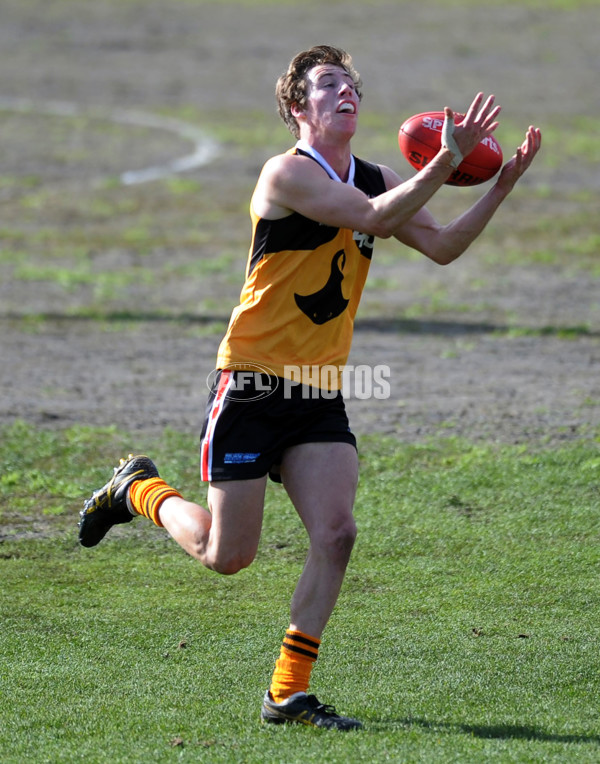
<point x="292" y="85"/>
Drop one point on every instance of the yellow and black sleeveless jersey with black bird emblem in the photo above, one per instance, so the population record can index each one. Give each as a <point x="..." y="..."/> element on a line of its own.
<point x="304" y="281"/>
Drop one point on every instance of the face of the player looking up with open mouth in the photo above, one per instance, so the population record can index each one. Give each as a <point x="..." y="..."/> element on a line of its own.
<point x="332" y="101"/>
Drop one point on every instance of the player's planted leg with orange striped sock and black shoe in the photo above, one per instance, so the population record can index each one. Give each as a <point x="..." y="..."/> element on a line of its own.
<point x="321" y="479"/>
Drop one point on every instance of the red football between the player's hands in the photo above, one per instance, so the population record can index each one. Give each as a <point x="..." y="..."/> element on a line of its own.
<point x="420" y="138"/>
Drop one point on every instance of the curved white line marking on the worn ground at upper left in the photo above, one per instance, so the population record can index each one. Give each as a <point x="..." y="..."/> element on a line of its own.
<point x="205" y="148"/>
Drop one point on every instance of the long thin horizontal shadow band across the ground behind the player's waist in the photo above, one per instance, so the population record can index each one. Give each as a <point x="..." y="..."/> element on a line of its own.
<point x="382" y="325"/>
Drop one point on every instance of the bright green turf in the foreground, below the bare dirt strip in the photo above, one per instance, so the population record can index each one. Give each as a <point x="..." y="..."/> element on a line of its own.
<point x="466" y="629"/>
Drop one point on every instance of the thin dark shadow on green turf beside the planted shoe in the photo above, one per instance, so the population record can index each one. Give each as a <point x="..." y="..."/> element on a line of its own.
<point x="493" y="731"/>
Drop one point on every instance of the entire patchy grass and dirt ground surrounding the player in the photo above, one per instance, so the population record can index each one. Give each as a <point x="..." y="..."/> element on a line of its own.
<point x="467" y="628"/>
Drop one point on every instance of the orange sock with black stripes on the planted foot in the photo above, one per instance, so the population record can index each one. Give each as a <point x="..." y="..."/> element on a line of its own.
<point x="298" y="654"/>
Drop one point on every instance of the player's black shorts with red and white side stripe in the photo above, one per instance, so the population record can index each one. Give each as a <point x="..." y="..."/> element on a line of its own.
<point x="252" y="419"/>
